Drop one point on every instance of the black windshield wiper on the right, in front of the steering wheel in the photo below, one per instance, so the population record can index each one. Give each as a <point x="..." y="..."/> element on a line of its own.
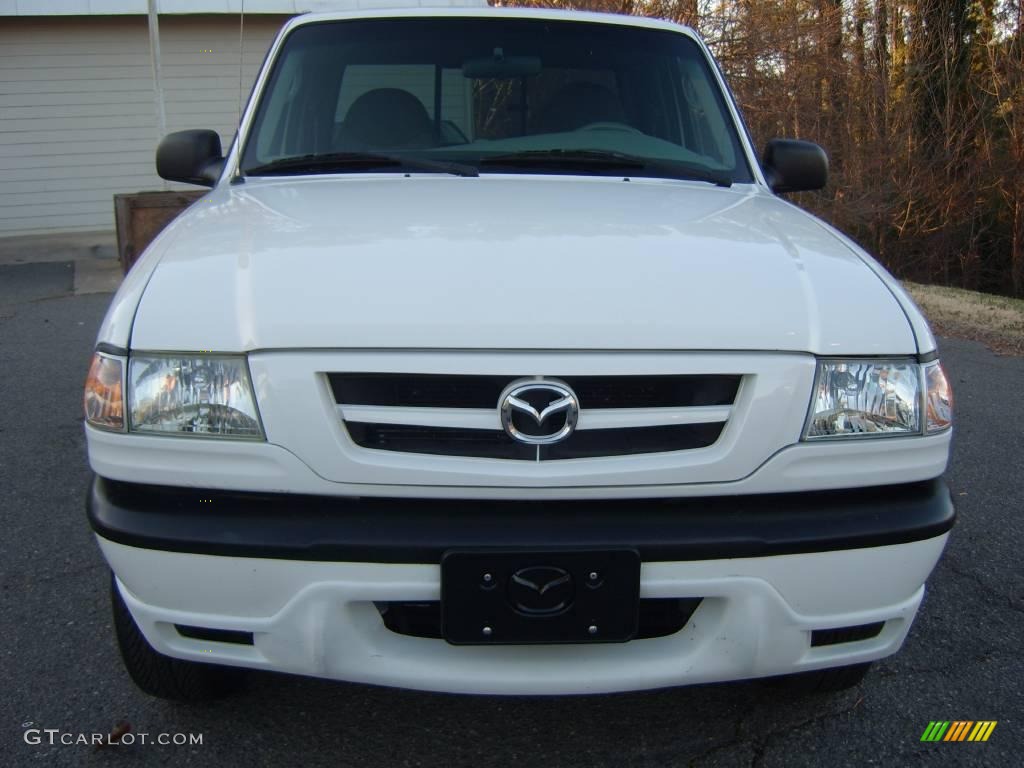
<point x="605" y="159"/>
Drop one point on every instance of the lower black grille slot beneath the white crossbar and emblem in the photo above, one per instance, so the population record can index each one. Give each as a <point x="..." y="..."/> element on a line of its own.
<point x="497" y="445"/>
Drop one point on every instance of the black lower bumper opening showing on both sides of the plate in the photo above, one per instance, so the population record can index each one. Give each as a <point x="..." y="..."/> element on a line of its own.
<point x="658" y="617"/>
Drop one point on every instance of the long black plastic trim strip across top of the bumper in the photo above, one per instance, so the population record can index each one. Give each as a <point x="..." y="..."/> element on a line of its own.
<point x="403" y="531"/>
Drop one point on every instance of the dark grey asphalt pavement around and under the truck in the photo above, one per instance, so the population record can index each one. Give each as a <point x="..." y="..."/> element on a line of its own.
<point x="61" y="668"/>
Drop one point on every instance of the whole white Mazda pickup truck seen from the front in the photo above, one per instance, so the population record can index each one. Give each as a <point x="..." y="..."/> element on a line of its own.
<point x="493" y="363"/>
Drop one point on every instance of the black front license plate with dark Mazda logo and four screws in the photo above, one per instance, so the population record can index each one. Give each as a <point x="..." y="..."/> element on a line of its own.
<point x="503" y="598"/>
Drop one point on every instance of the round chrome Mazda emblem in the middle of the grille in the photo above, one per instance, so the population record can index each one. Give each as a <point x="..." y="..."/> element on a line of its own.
<point x="539" y="412"/>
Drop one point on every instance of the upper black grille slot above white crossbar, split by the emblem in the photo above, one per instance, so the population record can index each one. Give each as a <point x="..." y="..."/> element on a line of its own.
<point x="444" y="391"/>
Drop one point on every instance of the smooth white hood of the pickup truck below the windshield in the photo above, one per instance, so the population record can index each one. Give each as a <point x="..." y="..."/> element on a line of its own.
<point x="510" y="263"/>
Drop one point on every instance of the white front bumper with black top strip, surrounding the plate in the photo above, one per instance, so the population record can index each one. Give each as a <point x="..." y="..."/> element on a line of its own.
<point x="770" y="575"/>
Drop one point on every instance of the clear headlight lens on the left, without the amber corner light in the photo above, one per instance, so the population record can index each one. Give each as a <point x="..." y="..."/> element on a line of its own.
<point x="194" y="395"/>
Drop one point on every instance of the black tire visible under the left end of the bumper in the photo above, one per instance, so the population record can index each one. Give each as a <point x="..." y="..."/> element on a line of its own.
<point x="162" y="676"/>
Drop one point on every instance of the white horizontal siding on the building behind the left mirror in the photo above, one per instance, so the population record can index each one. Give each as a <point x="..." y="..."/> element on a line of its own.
<point x="78" y="118"/>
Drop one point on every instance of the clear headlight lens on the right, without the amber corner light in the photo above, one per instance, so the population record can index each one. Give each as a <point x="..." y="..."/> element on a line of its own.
<point x="866" y="399"/>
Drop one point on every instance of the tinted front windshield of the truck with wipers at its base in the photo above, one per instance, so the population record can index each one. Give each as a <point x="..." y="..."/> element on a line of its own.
<point x="493" y="96"/>
